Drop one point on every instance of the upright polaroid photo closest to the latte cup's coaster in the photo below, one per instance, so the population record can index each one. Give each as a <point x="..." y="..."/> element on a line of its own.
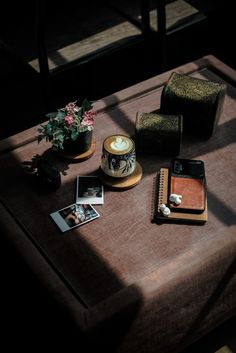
<point x="89" y="190"/>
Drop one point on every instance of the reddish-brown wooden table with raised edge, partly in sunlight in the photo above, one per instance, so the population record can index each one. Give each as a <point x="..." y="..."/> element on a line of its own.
<point x="122" y="278"/>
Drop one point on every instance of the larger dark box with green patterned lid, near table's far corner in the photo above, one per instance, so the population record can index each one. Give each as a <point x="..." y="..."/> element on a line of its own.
<point x="199" y="101"/>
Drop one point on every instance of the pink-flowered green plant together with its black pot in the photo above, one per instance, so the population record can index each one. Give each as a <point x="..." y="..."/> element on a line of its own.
<point x="70" y="128"/>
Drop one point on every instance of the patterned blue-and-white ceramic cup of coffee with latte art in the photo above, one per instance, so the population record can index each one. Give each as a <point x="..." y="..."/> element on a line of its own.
<point x="118" y="156"/>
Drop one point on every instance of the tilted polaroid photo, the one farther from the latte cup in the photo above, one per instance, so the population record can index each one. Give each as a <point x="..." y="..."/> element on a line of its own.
<point x="74" y="216"/>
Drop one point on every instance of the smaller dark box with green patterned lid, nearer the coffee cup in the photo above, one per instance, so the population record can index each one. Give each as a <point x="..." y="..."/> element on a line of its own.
<point x="158" y="133"/>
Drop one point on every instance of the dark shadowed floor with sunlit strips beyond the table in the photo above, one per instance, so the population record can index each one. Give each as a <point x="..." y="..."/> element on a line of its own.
<point x="96" y="48"/>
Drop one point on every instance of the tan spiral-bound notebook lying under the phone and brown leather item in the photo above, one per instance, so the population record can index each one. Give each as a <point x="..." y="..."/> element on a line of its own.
<point x="162" y="192"/>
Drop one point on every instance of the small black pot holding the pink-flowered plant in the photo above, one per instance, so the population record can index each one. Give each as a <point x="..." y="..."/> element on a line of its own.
<point x="81" y="145"/>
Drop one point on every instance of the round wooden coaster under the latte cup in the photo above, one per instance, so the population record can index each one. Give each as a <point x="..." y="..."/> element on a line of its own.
<point x="123" y="183"/>
